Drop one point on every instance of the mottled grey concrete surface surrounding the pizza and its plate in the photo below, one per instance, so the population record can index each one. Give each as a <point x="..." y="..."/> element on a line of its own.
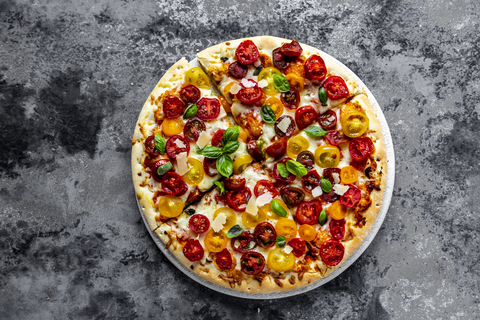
<point x="73" y="77"/>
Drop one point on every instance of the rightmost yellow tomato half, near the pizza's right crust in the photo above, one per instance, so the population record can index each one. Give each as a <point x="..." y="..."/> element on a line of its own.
<point x="354" y="120"/>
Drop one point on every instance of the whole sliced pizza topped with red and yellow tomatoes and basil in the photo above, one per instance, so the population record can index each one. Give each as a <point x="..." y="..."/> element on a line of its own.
<point x="262" y="171"/>
